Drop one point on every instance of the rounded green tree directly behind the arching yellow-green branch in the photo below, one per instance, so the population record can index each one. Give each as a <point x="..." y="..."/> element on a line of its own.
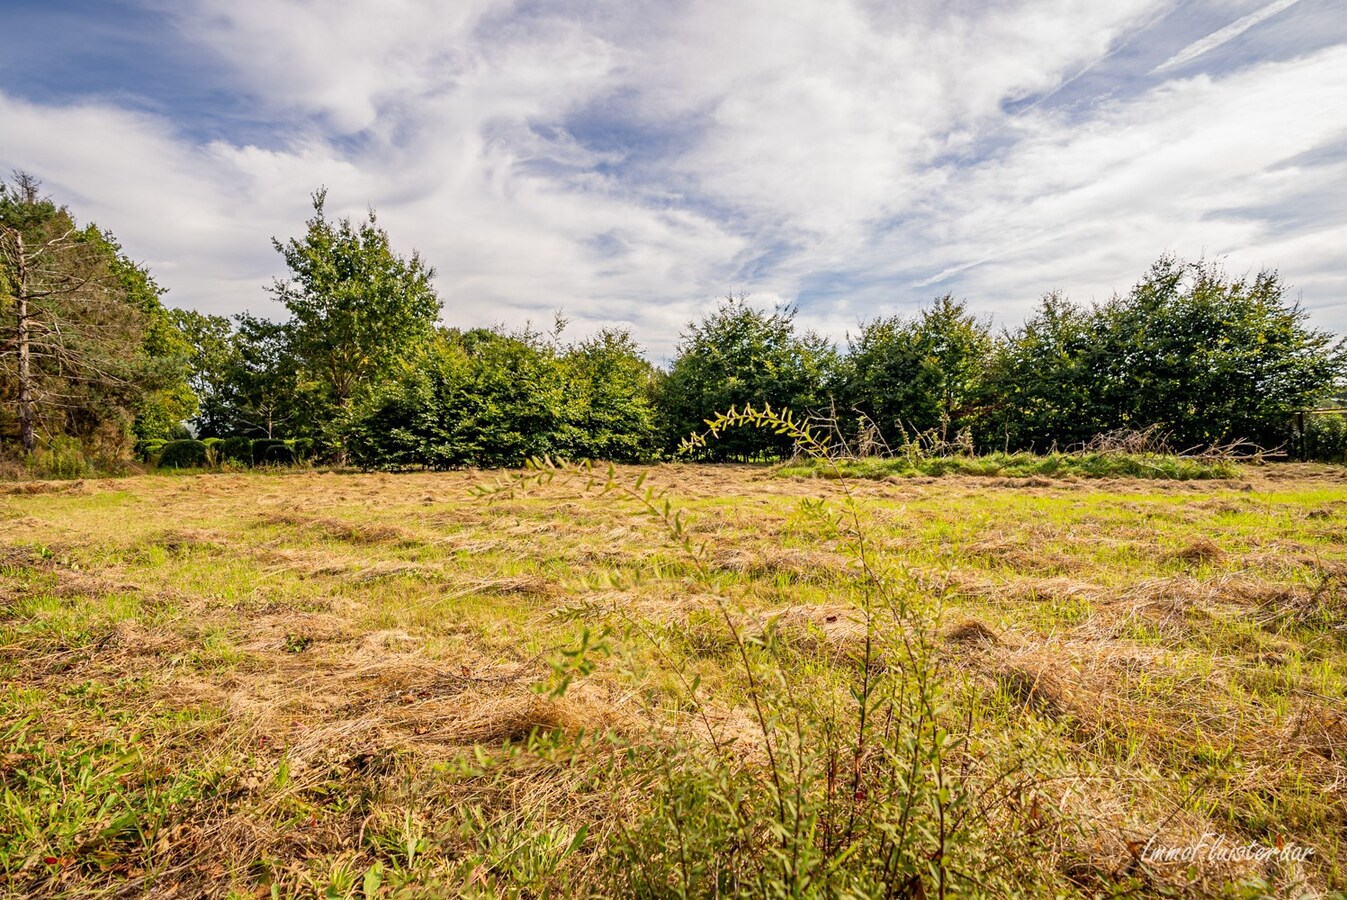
<point x="742" y="356"/>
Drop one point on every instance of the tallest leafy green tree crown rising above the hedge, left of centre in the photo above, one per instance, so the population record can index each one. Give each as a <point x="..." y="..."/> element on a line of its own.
<point x="356" y="308"/>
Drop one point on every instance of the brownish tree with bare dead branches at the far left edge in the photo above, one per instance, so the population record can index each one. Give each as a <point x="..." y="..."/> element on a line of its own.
<point x="94" y="354"/>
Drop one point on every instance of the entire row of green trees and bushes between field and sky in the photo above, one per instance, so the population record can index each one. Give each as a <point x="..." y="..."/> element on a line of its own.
<point x="362" y="371"/>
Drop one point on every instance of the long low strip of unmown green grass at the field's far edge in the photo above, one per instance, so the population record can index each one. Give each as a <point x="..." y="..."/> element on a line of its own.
<point x="1023" y="465"/>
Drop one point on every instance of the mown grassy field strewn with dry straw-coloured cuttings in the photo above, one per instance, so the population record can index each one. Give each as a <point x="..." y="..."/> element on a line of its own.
<point x="363" y="685"/>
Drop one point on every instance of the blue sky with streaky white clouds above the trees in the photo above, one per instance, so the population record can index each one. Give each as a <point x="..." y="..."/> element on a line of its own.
<point x="631" y="162"/>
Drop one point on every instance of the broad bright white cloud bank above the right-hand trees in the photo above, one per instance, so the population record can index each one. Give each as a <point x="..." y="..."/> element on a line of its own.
<point x="1086" y="207"/>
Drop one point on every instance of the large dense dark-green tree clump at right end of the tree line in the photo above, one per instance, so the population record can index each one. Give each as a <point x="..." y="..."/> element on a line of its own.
<point x="1205" y="358"/>
